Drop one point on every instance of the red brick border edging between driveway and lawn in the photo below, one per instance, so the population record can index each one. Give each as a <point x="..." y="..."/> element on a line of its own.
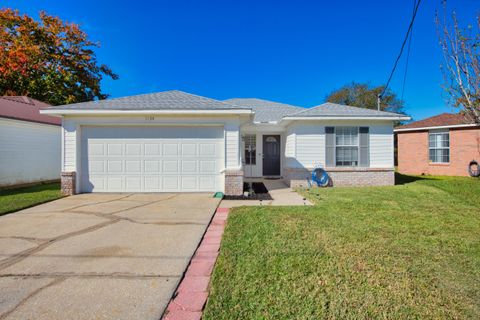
<point x="192" y="293"/>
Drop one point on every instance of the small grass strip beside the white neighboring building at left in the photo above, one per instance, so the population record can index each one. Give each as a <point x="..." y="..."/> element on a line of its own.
<point x="12" y="200"/>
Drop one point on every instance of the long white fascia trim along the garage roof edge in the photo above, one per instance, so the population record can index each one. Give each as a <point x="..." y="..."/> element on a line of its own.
<point x="60" y="112"/>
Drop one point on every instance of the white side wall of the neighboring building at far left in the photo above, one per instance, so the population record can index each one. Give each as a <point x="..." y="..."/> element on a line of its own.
<point x="29" y="152"/>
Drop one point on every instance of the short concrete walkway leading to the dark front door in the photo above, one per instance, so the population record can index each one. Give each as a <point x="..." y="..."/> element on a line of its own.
<point x="282" y="196"/>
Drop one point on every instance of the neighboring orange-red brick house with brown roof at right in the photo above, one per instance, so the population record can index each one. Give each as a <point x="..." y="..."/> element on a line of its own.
<point x="440" y="145"/>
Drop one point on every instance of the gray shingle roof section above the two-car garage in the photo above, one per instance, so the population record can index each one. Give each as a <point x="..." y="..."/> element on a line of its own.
<point x="166" y="100"/>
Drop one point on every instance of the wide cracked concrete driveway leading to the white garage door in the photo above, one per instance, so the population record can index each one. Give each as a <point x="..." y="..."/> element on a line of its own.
<point x="99" y="256"/>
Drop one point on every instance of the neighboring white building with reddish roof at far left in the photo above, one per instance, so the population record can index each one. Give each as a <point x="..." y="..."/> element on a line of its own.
<point x="30" y="145"/>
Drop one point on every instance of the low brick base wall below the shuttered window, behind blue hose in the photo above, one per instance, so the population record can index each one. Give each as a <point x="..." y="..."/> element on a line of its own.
<point x="342" y="177"/>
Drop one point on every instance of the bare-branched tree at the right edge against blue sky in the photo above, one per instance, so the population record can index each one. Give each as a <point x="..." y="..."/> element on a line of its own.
<point x="461" y="64"/>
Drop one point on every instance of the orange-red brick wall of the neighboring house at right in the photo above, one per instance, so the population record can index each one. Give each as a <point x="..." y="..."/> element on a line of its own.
<point x="413" y="152"/>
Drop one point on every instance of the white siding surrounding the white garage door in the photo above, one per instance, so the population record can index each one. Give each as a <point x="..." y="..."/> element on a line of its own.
<point x="72" y="127"/>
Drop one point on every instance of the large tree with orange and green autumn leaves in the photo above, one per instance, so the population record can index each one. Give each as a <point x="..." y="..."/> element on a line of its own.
<point x="49" y="60"/>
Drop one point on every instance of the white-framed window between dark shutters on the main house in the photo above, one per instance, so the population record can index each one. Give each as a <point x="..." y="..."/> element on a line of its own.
<point x="346" y="146"/>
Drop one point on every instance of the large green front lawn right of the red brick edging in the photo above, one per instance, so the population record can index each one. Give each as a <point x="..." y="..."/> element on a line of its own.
<point x="410" y="251"/>
